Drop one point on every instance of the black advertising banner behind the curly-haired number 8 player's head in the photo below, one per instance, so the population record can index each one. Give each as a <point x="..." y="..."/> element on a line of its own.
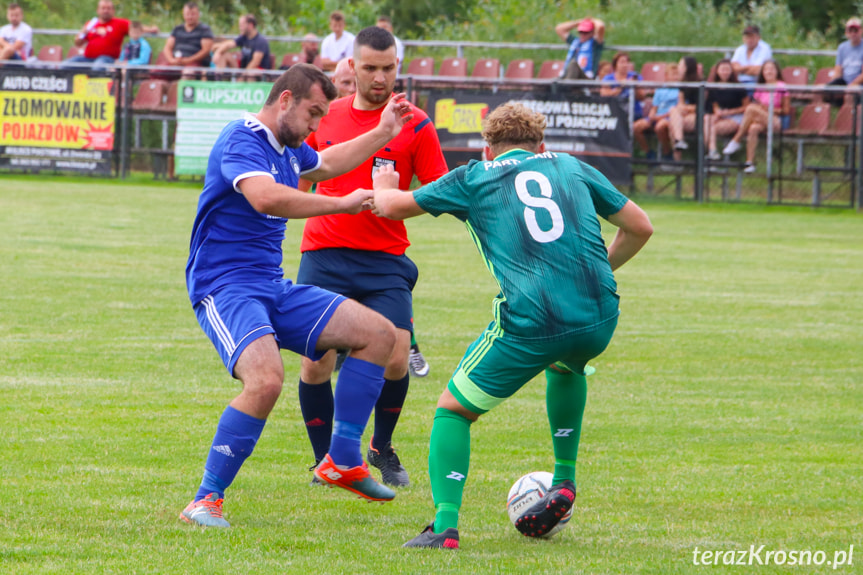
<point x="592" y="128"/>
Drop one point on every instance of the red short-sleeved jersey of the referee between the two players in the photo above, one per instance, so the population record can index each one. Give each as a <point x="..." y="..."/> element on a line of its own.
<point x="416" y="150"/>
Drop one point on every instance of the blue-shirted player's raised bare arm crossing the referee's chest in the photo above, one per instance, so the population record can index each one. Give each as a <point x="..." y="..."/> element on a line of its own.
<point x="341" y="158"/>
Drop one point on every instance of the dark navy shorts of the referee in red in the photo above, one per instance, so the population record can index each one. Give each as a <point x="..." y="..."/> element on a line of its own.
<point x="378" y="280"/>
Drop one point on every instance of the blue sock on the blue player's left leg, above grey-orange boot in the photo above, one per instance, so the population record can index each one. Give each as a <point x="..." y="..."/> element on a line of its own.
<point x="236" y="436"/>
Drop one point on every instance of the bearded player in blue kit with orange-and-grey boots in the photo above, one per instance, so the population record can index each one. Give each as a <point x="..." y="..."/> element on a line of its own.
<point x="246" y="306"/>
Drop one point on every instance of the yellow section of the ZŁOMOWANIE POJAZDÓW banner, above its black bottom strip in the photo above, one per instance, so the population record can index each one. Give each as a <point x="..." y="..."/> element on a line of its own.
<point x="60" y="110"/>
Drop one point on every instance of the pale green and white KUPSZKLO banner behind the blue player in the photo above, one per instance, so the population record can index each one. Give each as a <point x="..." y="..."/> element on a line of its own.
<point x="203" y="109"/>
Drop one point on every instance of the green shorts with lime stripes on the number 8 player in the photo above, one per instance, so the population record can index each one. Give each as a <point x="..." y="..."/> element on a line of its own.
<point x="495" y="366"/>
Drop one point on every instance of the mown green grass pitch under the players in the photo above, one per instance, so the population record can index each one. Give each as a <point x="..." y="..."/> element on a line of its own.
<point x="726" y="413"/>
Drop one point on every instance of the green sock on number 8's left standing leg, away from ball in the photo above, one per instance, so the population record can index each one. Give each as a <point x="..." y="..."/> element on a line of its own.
<point x="449" y="459"/>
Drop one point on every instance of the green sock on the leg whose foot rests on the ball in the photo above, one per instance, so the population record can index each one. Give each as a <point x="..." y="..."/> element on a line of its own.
<point x="565" y="397"/>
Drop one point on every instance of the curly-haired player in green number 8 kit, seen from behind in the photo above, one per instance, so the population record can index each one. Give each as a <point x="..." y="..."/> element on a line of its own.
<point x="533" y="216"/>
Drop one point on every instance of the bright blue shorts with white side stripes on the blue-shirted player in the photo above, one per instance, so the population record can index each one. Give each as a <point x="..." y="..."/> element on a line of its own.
<point x="236" y="315"/>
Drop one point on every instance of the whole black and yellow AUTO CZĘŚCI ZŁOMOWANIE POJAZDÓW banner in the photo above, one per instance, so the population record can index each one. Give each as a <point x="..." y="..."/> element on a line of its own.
<point x="56" y="120"/>
